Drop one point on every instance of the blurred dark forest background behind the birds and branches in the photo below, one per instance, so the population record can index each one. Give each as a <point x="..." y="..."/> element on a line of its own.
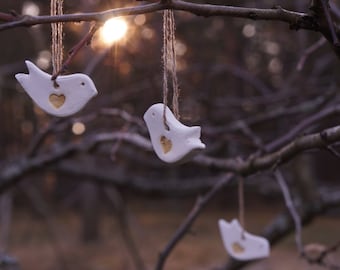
<point x="87" y="192"/>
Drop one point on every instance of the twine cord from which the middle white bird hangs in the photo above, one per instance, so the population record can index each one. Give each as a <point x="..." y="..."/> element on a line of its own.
<point x="169" y="64"/>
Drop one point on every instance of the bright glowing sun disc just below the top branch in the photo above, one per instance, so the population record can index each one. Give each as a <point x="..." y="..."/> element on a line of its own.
<point x="113" y="30"/>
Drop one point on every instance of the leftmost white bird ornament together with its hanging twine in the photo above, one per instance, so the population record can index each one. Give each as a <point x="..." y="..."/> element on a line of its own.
<point x="57" y="95"/>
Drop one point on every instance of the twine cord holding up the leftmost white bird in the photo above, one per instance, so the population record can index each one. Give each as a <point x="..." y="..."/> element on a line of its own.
<point x="57" y="37"/>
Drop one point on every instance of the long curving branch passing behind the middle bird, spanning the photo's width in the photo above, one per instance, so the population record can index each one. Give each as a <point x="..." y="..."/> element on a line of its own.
<point x="11" y="174"/>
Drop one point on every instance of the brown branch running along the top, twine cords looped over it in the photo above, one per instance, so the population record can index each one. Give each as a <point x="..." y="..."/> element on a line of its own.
<point x="296" y="20"/>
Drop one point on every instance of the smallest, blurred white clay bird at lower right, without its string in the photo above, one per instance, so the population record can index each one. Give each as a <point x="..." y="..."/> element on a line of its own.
<point x="242" y="245"/>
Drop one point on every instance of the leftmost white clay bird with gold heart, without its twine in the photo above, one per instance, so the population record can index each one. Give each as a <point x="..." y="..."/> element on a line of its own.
<point x="70" y="96"/>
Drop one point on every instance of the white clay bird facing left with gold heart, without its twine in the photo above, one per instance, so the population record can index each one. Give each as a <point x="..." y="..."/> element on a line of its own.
<point x="178" y="142"/>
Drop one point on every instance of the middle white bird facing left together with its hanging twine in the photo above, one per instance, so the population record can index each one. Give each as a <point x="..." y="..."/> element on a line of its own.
<point x="172" y="141"/>
